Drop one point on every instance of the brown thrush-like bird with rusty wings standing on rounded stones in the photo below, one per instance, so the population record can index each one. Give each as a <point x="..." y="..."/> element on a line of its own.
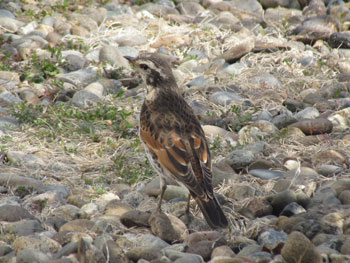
<point x="173" y="138"/>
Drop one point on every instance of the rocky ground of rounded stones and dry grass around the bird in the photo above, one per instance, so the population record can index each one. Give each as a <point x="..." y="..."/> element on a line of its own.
<point x="270" y="84"/>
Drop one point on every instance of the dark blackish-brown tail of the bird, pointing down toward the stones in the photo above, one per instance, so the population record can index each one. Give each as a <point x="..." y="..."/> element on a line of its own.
<point x="212" y="212"/>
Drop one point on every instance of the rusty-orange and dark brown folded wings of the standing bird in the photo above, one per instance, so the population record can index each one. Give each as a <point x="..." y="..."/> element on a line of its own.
<point x="186" y="158"/>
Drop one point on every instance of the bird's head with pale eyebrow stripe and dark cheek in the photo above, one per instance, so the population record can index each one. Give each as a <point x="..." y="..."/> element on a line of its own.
<point x="155" y="71"/>
